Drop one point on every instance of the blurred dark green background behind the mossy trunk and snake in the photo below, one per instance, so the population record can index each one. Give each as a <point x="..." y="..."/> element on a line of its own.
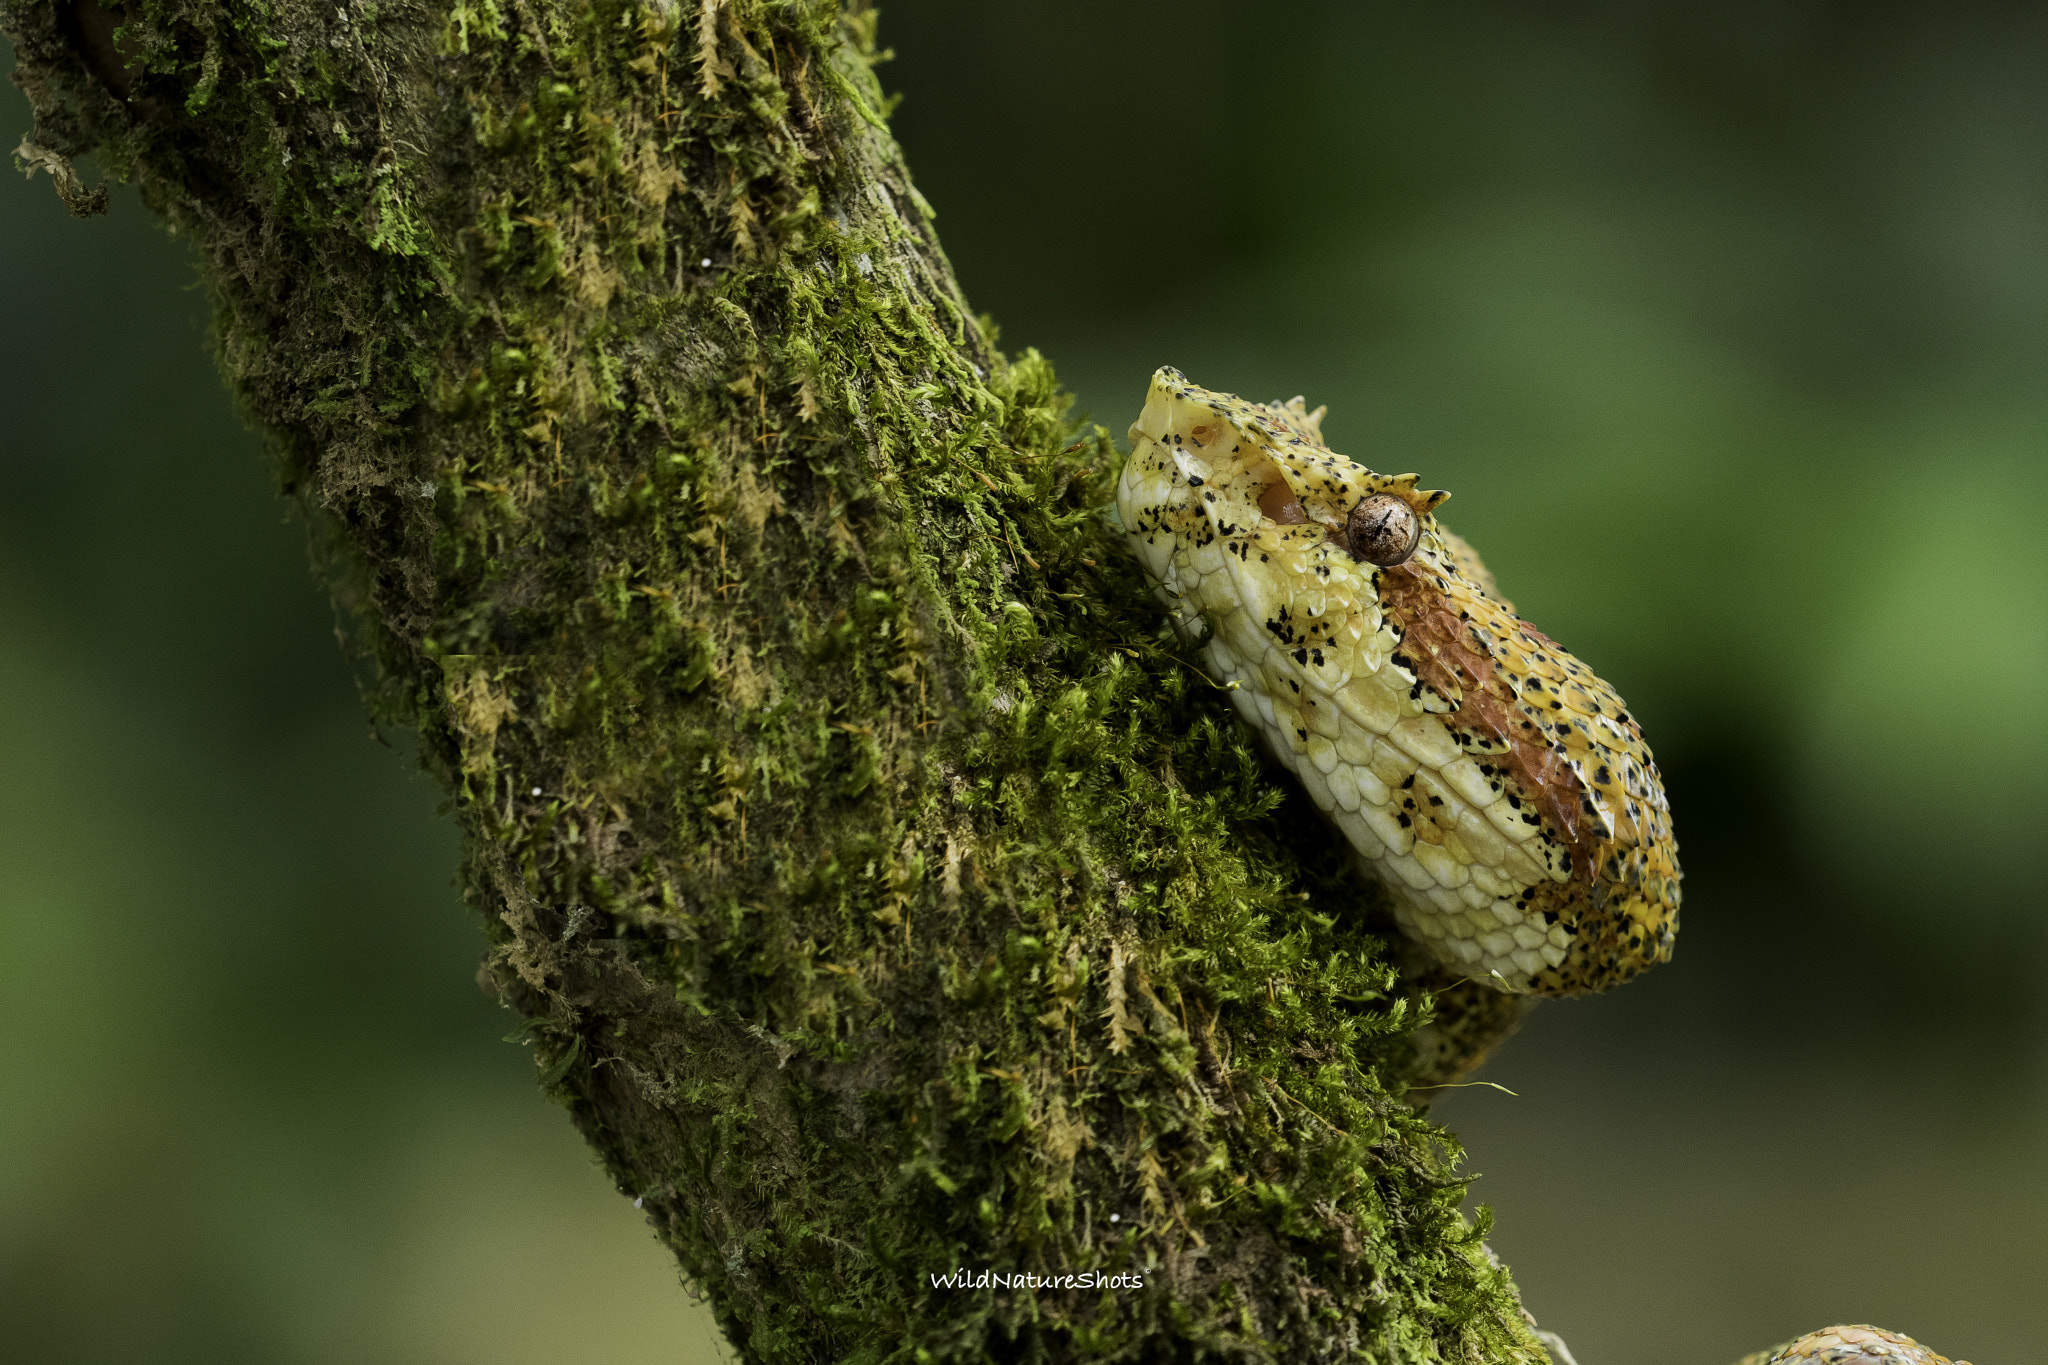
<point x="1725" y="324"/>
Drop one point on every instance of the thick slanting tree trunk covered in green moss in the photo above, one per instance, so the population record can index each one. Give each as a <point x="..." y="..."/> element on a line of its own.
<point x="884" y="893"/>
